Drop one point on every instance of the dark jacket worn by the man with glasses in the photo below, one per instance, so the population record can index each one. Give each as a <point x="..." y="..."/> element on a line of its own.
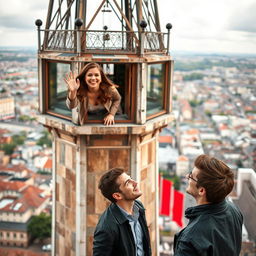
<point x="213" y="230"/>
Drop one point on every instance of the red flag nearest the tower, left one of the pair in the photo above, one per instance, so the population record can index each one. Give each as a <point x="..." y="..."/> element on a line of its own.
<point x="165" y="191"/>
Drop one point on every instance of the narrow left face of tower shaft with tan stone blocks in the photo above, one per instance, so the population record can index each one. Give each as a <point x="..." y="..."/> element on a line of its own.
<point x="65" y="205"/>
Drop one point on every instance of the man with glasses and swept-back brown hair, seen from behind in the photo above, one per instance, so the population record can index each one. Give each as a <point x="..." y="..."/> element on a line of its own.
<point x="215" y="224"/>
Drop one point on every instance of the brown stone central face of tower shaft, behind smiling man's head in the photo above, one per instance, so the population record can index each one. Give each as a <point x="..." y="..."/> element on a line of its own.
<point x="103" y="153"/>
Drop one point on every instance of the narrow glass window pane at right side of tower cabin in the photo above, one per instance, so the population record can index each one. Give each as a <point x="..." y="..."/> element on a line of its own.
<point x="155" y="88"/>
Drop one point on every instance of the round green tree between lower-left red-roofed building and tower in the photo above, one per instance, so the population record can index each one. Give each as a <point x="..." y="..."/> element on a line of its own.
<point x="40" y="226"/>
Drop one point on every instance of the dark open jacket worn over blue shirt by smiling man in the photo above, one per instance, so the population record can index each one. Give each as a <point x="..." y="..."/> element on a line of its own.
<point x="113" y="235"/>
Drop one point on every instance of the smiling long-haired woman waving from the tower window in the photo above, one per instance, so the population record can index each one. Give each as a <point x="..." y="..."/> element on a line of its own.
<point x="92" y="93"/>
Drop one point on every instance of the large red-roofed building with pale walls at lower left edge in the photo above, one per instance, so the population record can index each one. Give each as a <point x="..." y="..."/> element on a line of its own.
<point x="18" y="203"/>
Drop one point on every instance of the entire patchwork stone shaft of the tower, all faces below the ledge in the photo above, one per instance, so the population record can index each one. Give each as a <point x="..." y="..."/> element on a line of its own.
<point x="99" y="154"/>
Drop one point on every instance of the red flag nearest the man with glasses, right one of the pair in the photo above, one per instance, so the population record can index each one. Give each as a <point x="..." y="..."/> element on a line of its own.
<point x="178" y="208"/>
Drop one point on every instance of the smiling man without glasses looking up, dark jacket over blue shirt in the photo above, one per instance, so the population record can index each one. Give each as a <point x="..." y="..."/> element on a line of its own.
<point x="122" y="229"/>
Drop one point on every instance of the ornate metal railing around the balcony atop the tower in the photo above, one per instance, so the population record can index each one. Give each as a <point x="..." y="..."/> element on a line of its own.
<point x="102" y="41"/>
